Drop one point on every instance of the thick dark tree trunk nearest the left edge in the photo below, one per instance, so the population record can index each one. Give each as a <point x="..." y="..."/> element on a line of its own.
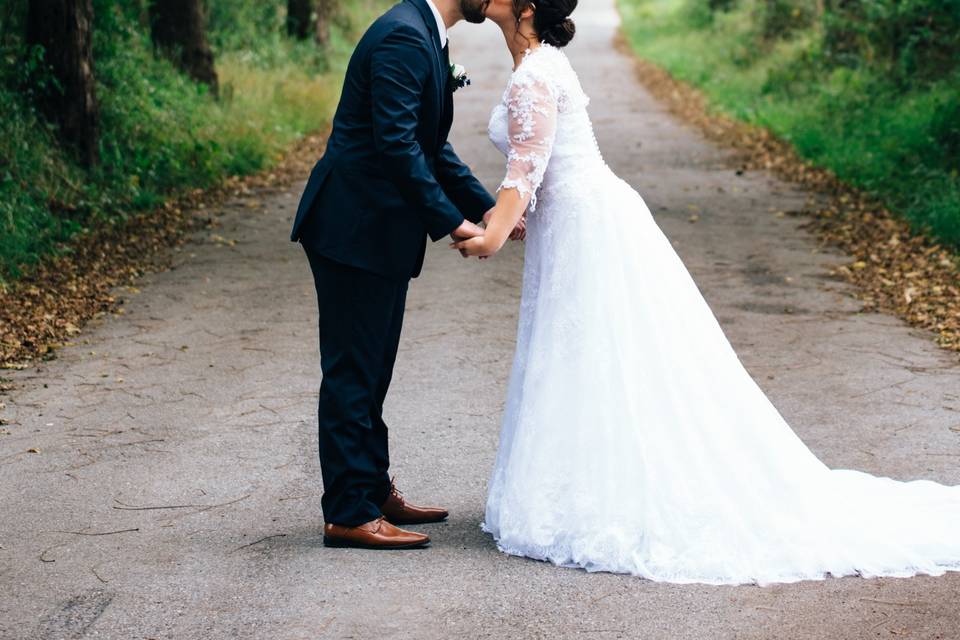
<point x="64" y="28"/>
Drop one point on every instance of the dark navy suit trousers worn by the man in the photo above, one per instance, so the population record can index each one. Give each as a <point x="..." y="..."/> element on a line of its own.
<point x="360" y="319"/>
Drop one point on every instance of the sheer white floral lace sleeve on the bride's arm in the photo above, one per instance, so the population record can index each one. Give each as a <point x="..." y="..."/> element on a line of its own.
<point x="532" y="106"/>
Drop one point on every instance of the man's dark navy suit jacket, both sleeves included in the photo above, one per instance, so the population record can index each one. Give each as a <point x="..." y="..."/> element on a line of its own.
<point x="389" y="178"/>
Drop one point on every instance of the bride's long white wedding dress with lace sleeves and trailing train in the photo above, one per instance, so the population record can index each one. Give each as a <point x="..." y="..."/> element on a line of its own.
<point x="633" y="439"/>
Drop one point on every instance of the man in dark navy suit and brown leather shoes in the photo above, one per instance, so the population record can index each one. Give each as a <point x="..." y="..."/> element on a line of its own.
<point x="387" y="180"/>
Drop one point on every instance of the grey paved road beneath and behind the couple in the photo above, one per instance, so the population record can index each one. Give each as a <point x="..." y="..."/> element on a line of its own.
<point x="198" y="403"/>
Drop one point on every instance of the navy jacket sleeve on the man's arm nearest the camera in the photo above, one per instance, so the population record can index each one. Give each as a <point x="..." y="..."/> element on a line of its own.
<point x="400" y="67"/>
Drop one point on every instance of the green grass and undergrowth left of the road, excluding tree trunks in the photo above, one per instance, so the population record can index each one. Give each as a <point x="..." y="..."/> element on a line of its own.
<point x="160" y="132"/>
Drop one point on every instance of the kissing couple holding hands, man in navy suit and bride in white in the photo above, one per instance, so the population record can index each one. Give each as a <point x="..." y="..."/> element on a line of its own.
<point x="633" y="440"/>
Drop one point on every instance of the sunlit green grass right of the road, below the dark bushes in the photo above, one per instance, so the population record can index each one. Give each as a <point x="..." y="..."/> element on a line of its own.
<point x="899" y="141"/>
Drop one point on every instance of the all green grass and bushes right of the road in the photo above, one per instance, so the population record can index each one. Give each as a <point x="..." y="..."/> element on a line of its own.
<point x="869" y="89"/>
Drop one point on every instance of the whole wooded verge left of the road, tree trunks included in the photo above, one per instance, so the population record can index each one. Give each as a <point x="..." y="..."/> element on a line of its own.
<point x="165" y="103"/>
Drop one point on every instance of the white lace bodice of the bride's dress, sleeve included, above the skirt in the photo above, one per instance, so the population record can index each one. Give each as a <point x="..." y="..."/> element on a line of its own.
<point x="542" y="125"/>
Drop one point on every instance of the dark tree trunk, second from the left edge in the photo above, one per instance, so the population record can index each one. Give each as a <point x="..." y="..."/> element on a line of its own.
<point x="178" y="29"/>
